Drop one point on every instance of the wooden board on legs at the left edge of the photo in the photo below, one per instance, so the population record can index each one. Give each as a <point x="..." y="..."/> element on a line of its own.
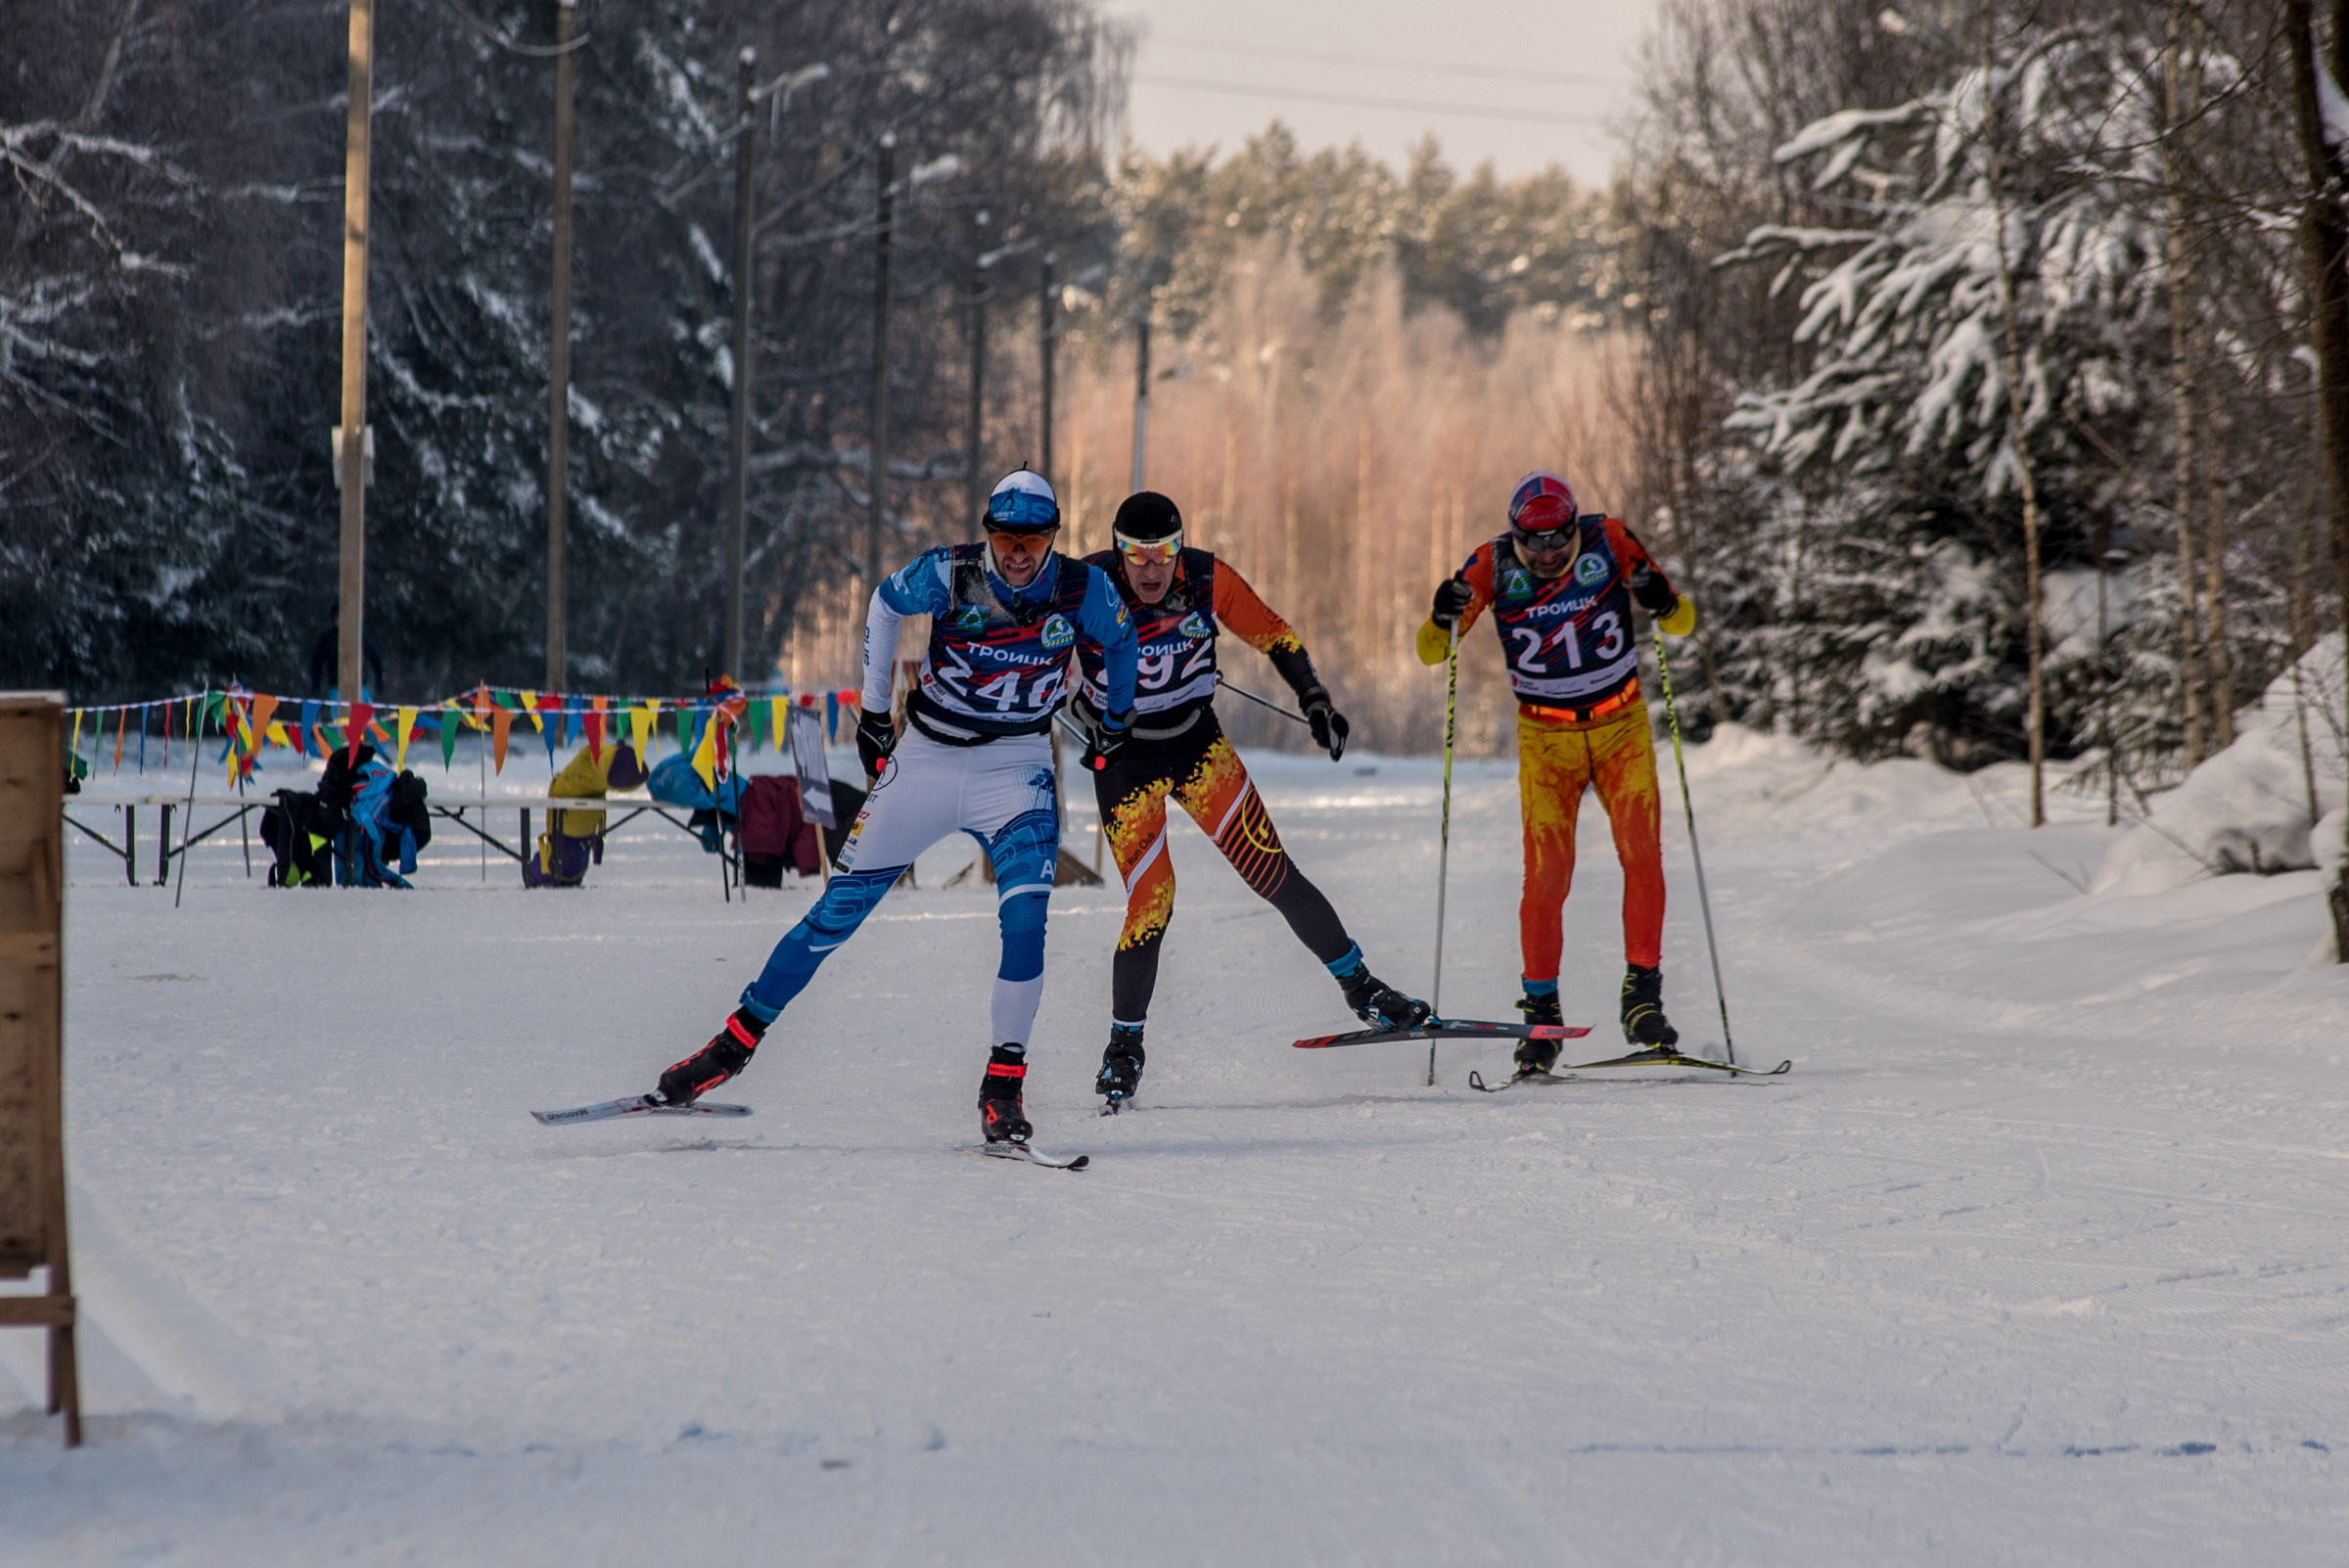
<point x="32" y="1032"/>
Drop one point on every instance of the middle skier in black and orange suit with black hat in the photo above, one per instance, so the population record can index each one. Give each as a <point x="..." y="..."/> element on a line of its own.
<point x="1178" y="597"/>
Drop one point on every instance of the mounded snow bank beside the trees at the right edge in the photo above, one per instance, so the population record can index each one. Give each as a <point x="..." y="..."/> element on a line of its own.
<point x="2249" y="806"/>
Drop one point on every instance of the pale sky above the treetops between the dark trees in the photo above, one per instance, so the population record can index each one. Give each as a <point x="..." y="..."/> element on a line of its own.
<point x="1542" y="81"/>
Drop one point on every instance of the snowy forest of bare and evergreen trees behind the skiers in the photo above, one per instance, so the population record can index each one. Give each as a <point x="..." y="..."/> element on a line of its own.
<point x="1782" y="344"/>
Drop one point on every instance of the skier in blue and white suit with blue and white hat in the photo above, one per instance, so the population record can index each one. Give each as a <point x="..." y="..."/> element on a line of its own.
<point x="1007" y="616"/>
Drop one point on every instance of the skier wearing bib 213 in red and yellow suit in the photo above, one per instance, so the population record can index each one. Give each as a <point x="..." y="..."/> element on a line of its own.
<point x="1561" y="586"/>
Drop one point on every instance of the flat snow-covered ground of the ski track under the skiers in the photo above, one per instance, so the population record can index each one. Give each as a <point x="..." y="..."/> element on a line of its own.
<point x="2038" y="1255"/>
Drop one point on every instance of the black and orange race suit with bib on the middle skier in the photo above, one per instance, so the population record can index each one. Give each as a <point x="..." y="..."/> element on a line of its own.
<point x="1180" y="750"/>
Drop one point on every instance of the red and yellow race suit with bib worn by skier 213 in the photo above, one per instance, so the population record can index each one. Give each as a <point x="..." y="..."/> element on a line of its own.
<point x="1580" y="724"/>
